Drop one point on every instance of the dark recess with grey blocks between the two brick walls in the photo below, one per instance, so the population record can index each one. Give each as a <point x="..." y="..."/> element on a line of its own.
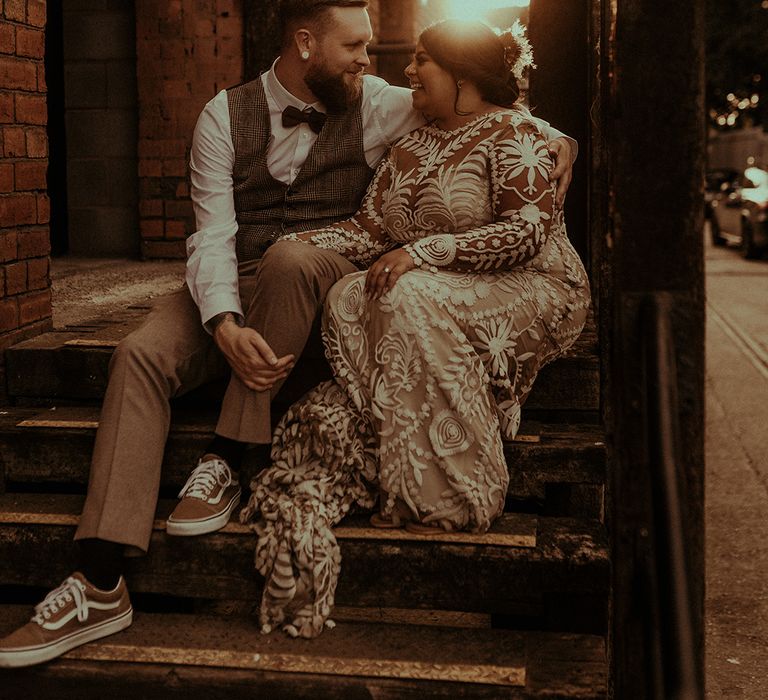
<point x="93" y="129"/>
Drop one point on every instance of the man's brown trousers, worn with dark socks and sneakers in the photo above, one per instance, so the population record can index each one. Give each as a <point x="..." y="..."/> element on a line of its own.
<point x="170" y="354"/>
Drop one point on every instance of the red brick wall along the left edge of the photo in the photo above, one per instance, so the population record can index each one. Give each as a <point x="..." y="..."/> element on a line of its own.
<point x="25" y="296"/>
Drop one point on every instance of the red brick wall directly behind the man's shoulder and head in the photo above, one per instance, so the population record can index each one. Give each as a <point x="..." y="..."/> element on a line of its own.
<point x="187" y="51"/>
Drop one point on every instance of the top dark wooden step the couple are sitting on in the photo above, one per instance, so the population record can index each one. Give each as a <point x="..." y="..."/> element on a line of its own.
<point x="72" y="364"/>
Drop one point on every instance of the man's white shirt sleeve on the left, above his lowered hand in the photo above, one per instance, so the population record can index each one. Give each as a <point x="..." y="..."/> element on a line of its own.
<point x="211" y="273"/>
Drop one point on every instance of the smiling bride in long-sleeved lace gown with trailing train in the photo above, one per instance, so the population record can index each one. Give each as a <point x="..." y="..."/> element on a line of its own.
<point x="471" y="287"/>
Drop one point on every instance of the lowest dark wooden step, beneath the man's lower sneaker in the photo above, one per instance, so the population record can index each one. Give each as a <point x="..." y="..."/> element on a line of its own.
<point x="181" y="656"/>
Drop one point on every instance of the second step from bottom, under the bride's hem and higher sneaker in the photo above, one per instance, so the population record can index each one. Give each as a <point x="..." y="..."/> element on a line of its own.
<point x="552" y="572"/>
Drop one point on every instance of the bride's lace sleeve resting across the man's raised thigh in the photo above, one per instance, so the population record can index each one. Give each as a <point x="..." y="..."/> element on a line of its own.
<point x="362" y="238"/>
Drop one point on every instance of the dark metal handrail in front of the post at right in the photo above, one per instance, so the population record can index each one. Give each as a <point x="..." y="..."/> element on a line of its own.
<point x="673" y="664"/>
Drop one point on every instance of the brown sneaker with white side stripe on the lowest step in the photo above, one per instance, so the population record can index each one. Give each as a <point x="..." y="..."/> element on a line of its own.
<point x="72" y="614"/>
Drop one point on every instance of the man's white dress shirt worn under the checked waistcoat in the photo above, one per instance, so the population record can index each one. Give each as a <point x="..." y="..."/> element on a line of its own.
<point x="212" y="277"/>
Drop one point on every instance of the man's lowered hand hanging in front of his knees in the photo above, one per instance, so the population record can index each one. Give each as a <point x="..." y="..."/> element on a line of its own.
<point x="250" y="357"/>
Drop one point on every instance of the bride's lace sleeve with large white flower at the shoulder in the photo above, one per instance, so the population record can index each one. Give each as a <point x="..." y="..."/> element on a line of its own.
<point x="523" y="210"/>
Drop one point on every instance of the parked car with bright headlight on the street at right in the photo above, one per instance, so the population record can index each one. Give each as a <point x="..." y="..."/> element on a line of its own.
<point x="737" y="209"/>
